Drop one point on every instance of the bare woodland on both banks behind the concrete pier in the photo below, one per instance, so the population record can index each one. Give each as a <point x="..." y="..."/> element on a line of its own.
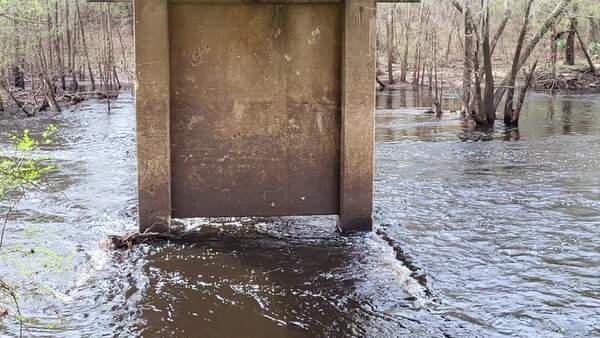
<point x="58" y="52"/>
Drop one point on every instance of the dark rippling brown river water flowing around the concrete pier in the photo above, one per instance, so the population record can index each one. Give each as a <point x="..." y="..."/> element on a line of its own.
<point x="472" y="239"/>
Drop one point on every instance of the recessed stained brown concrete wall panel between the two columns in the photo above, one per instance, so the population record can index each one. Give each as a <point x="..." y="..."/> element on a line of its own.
<point x="255" y="102"/>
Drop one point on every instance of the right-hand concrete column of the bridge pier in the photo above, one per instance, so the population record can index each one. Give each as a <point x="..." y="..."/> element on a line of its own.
<point x="358" y="115"/>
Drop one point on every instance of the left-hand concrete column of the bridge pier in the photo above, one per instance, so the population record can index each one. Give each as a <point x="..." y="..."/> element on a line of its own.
<point x="152" y="113"/>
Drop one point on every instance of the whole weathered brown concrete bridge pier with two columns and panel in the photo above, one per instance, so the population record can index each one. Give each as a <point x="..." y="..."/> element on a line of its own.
<point x="255" y="109"/>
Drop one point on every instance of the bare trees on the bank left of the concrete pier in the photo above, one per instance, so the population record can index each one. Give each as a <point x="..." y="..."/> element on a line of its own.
<point x="54" y="53"/>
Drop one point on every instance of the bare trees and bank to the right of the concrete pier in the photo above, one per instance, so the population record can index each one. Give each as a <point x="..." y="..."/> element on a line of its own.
<point x="489" y="52"/>
